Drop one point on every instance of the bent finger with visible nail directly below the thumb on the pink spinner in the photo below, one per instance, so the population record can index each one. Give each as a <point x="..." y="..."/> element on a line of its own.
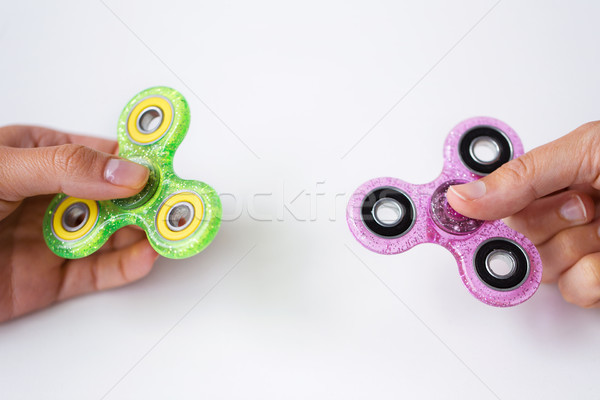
<point x="545" y="217"/>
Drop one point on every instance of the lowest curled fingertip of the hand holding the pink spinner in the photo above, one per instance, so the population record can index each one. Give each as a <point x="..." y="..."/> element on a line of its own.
<point x="580" y="284"/>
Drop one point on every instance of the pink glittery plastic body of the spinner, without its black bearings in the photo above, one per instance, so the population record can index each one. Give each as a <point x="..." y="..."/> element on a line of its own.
<point x="437" y="222"/>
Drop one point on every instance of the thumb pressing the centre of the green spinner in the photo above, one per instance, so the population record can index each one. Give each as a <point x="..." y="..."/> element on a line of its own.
<point x="72" y="169"/>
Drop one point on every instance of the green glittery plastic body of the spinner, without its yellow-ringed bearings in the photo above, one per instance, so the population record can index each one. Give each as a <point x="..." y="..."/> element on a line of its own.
<point x="142" y="209"/>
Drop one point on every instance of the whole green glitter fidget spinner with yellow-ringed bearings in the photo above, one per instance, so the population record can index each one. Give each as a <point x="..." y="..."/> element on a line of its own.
<point x="180" y="217"/>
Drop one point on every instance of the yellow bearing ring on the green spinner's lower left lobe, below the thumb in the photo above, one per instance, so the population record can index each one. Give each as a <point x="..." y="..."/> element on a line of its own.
<point x="74" y="218"/>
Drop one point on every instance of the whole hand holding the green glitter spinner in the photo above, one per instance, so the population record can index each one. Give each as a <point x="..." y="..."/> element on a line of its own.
<point x="35" y="164"/>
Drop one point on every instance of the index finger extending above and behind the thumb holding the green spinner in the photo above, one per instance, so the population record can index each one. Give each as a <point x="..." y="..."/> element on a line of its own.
<point x="36" y="136"/>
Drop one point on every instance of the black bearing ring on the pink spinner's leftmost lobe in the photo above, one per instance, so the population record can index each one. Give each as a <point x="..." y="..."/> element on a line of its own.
<point x="401" y="226"/>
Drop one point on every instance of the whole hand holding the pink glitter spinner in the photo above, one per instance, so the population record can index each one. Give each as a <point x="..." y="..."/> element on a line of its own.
<point x="551" y="195"/>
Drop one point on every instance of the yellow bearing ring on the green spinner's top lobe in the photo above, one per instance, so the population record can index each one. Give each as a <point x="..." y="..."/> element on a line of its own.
<point x="153" y="107"/>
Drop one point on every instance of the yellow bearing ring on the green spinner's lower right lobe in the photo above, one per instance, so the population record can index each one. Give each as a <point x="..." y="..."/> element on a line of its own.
<point x="167" y="219"/>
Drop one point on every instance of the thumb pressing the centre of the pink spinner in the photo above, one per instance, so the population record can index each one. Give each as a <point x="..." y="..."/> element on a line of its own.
<point x="572" y="159"/>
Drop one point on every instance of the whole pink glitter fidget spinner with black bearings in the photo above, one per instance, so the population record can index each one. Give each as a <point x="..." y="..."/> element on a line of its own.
<point x="498" y="265"/>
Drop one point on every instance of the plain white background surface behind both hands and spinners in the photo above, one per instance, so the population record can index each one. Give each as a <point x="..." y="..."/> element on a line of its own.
<point x="300" y="83"/>
